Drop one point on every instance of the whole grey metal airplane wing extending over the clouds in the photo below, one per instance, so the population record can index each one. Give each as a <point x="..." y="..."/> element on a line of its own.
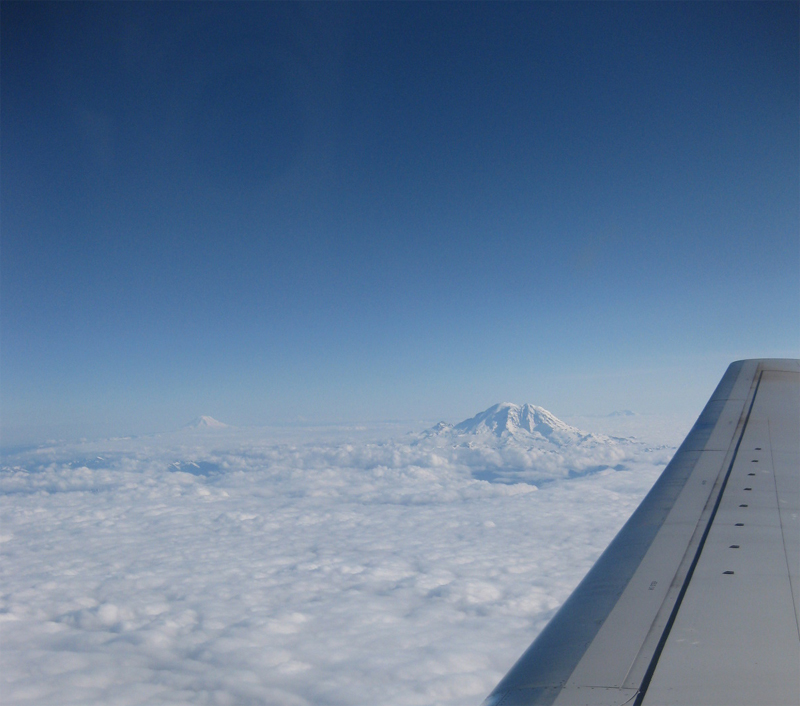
<point x="697" y="600"/>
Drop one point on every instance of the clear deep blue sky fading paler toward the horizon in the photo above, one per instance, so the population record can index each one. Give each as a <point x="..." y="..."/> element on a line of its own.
<point x="268" y="212"/>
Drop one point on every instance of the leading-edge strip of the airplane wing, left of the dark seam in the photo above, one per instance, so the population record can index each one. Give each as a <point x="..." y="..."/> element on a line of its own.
<point x="601" y="645"/>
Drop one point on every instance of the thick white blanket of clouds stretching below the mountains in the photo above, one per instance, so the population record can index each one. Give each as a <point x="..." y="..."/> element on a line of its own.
<point x="315" y="569"/>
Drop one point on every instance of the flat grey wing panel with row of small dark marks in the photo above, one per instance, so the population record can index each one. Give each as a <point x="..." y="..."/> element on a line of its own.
<point x="735" y="639"/>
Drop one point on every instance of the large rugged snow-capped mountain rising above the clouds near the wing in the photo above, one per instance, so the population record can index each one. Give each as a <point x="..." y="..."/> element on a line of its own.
<point x="524" y="423"/>
